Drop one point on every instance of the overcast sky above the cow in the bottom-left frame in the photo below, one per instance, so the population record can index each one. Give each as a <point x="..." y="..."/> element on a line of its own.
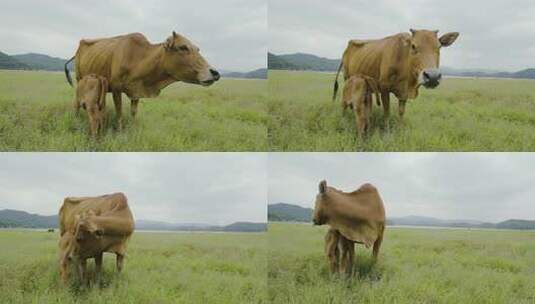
<point x="212" y="188"/>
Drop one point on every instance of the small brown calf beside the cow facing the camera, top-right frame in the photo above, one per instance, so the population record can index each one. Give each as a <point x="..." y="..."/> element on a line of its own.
<point x="357" y="95"/>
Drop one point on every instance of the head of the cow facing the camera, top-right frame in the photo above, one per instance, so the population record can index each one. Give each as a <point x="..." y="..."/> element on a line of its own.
<point x="425" y="56"/>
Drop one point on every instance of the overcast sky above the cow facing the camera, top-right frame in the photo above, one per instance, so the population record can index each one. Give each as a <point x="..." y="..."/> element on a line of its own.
<point x="494" y="34"/>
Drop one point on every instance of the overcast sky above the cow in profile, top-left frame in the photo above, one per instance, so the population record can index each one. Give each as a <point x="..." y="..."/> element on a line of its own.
<point x="232" y="34"/>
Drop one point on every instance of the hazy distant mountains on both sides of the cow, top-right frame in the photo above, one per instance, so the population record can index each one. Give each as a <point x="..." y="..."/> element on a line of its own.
<point x="309" y="62"/>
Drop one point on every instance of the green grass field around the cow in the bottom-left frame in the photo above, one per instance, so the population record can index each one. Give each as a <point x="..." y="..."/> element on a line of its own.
<point x="159" y="268"/>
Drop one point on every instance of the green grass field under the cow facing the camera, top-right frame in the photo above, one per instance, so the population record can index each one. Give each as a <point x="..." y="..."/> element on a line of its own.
<point x="460" y="115"/>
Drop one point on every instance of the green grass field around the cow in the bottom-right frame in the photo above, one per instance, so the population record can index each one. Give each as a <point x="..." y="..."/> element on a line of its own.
<point x="415" y="266"/>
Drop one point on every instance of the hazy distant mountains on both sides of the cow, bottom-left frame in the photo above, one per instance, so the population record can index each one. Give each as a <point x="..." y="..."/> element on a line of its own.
<point x="21" y="219"/>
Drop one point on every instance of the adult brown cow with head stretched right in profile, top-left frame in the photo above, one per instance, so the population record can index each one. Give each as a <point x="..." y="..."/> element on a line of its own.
<point x="140" y="69"/>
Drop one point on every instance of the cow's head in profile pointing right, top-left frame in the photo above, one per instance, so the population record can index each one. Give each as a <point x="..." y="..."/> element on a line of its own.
<point x="183" y="62"/>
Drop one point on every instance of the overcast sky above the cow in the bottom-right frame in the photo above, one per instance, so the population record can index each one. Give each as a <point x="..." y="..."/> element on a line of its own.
<point x="476" y="186"/>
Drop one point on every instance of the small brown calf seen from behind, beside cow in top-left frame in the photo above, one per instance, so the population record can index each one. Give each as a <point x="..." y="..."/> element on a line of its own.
<point x="91" y="95"/>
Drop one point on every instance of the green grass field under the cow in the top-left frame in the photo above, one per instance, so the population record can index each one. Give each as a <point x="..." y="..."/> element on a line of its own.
<point x="36" y="114"/>
